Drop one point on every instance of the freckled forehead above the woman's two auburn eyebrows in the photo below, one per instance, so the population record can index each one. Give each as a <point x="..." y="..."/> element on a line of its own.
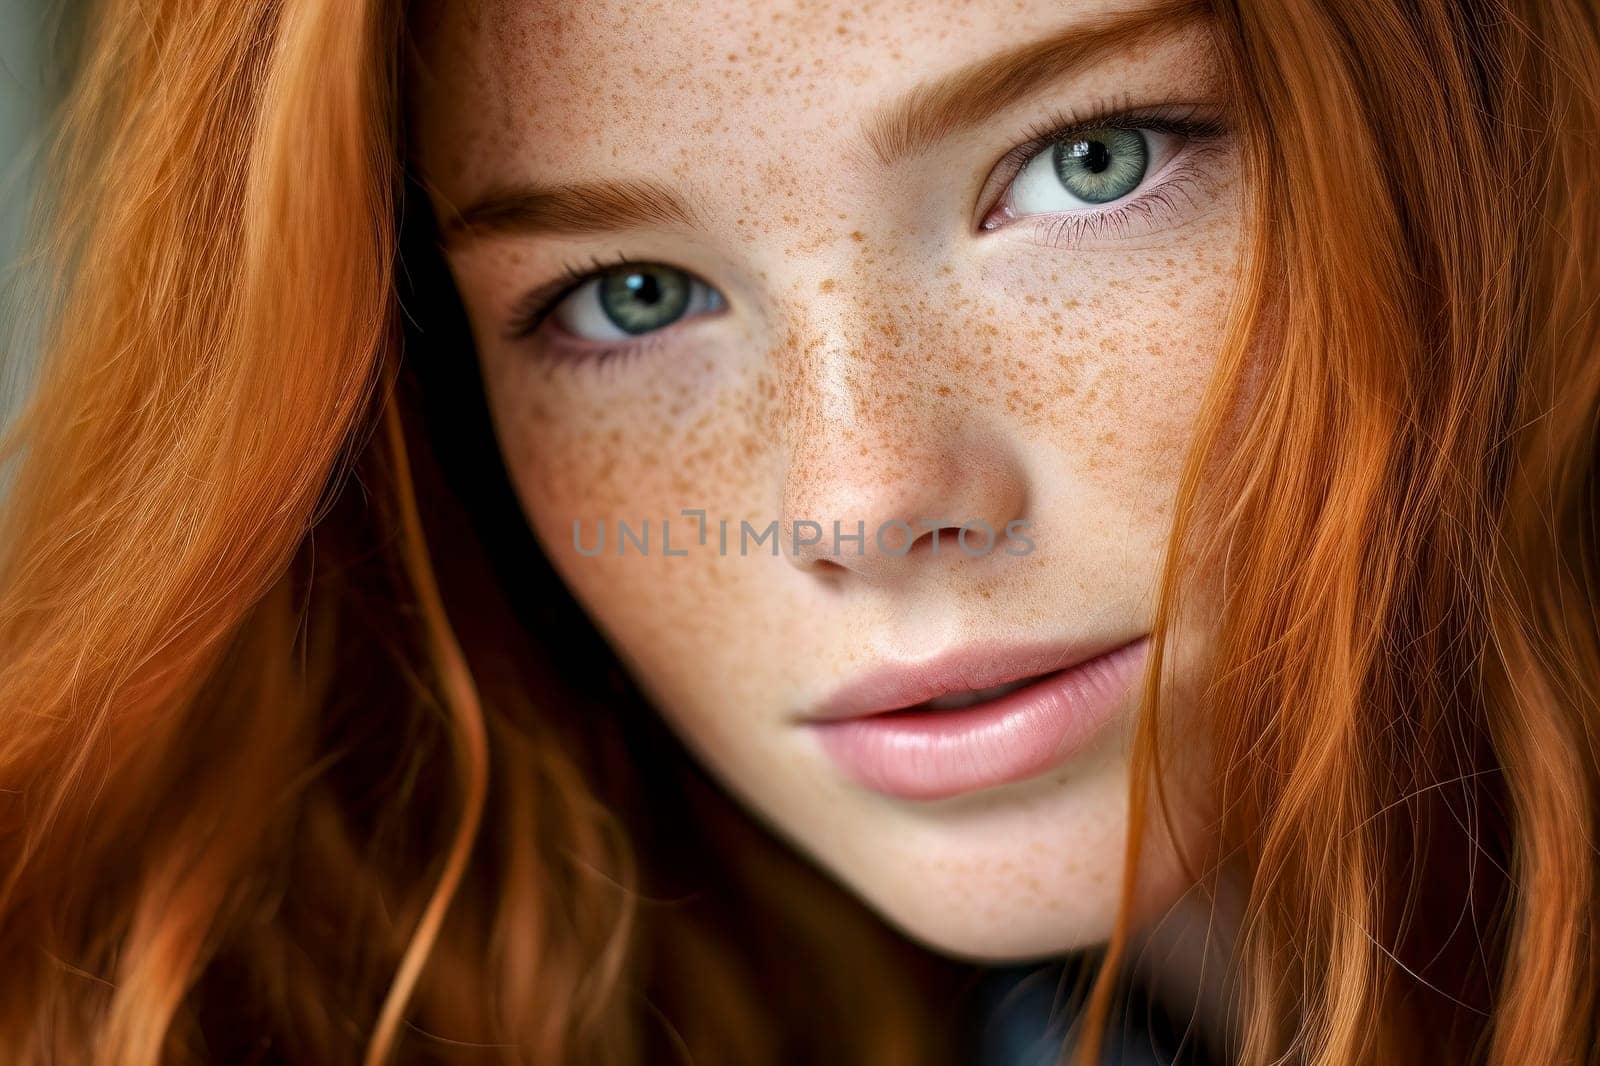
<point x="558" y="90"/>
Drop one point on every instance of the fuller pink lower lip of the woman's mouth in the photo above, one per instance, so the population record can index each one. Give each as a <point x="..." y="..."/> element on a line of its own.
<point x="937" y="755"/>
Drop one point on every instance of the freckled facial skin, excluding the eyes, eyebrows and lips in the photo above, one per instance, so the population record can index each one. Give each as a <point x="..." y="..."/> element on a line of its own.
<point x="879" y="358"/>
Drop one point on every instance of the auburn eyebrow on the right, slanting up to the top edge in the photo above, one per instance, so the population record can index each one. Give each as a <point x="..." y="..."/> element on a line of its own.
<point x="977" y="92"/>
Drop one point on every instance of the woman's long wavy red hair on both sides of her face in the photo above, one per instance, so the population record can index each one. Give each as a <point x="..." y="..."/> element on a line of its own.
<point x="295" y="767"/>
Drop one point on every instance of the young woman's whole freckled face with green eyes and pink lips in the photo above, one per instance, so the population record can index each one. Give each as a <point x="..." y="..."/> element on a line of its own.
<point x="862" y="263"/>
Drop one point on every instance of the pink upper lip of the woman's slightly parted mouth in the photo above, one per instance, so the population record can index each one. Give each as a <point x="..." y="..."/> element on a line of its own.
<point x="898" y="686"/>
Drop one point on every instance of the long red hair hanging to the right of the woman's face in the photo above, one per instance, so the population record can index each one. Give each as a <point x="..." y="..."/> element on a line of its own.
<point x="1409" y="647"/>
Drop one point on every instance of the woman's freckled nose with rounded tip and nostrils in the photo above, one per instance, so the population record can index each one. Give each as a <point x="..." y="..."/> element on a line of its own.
<point x="887" y="475"/>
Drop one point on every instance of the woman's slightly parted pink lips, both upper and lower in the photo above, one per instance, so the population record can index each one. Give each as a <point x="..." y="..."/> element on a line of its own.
<point x="932" y="755"/>
